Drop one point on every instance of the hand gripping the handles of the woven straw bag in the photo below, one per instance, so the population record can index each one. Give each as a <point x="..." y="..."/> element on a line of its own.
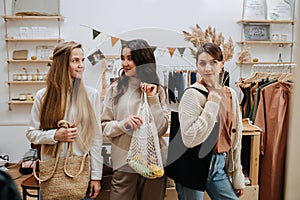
<point x="66" y="134"/>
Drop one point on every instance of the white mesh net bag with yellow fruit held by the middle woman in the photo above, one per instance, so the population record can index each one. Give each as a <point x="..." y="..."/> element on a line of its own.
<point x="144" y="153"/>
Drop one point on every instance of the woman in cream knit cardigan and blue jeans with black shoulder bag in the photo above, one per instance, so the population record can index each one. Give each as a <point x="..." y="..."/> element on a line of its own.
<point x="198" y="115"/>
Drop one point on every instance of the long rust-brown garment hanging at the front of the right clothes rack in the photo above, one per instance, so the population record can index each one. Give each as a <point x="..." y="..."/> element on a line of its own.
<point x="272" y="117"/>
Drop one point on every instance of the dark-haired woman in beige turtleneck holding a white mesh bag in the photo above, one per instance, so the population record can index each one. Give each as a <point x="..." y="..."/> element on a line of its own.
<point x="119" y="119"/>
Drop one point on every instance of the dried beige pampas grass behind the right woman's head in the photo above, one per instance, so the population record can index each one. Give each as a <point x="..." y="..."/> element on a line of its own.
<point x="198" y="37"/>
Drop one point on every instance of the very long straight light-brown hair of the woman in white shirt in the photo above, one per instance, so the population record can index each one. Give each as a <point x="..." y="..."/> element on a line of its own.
<point x="61" y="87"/>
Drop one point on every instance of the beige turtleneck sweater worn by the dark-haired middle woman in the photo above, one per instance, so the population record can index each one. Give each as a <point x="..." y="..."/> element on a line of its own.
<point x="113" y="119"/>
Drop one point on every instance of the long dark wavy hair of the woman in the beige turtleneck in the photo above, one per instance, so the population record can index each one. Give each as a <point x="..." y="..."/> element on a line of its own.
<point x="144" y="59"/>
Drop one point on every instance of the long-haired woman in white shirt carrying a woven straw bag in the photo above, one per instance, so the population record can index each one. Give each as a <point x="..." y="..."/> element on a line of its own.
<point x="66" y="98"/>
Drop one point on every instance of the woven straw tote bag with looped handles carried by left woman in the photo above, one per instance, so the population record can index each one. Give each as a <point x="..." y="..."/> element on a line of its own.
<point x="64" y="178"/>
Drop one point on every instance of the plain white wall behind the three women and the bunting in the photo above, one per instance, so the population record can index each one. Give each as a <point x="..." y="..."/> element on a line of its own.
<point x="159" y="22"/>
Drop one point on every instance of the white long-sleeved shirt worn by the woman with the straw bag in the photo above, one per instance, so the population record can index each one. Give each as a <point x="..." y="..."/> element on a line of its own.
<point x="37" y="136"/>
